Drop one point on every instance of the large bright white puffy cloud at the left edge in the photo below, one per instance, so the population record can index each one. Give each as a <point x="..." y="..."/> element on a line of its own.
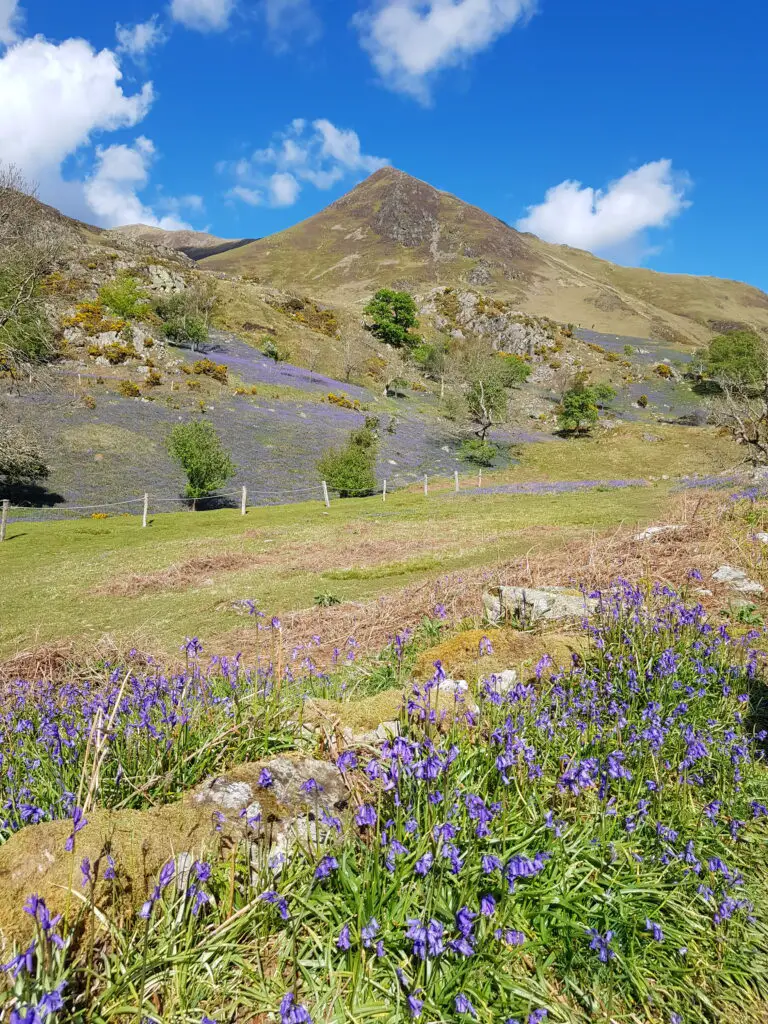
<point x="55" y="98"/>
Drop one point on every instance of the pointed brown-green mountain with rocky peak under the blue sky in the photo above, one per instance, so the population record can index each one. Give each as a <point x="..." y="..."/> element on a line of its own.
<point x="395" y="230"/>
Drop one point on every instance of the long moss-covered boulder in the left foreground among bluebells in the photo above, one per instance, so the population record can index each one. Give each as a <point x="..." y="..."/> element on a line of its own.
<point x="212" y="818"/>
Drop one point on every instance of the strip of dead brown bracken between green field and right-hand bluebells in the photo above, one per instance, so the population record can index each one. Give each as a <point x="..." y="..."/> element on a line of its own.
<point x="709" y="539"/>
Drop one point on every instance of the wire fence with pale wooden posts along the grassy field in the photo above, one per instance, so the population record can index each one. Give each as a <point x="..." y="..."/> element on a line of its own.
<point x="149" y="505"/>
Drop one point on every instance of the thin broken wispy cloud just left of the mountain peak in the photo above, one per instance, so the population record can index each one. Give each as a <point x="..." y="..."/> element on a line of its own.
<point x="319" y="154"/>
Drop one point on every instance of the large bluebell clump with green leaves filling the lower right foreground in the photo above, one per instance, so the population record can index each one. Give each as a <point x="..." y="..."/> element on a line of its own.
<point x="594" y="837"/>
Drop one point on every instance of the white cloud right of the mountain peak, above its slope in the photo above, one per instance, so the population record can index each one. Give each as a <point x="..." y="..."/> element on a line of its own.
<point x="604" y="220"/>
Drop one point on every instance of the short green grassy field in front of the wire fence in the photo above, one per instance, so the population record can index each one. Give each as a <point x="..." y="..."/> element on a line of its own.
<point x="181" y="576"/>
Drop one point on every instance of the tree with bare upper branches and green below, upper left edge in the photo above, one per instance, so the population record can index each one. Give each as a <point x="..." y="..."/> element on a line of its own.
<point x="31" y="243"/>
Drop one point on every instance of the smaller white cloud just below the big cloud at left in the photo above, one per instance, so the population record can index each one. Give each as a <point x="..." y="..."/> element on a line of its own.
<point x="112" y="191"/>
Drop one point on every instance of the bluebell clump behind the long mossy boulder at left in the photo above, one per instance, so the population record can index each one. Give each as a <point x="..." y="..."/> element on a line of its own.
<point x="152" y="726"/>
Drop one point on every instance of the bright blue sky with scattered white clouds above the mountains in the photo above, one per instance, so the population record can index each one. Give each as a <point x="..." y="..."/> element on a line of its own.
<point x="246" y="116"/>
